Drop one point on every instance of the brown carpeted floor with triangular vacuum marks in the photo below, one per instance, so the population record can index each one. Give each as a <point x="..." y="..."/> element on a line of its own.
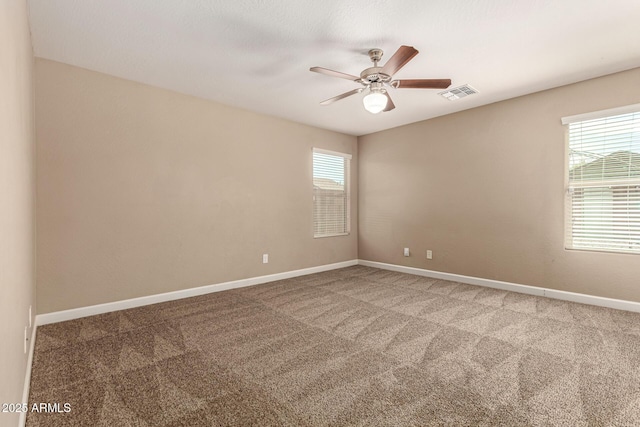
<point x="356" y="346"/>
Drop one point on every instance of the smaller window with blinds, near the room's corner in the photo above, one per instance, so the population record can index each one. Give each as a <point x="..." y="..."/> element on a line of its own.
<point x="331" y="194"/>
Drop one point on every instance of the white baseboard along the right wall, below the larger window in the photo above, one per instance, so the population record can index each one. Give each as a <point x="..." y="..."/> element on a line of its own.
<point x="515" y="287"/>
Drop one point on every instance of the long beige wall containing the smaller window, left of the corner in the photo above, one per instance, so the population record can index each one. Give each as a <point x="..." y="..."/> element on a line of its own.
<point x="142" y="191"/>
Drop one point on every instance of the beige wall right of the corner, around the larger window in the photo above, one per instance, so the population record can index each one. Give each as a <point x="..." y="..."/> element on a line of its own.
<point x="483" y="189"/>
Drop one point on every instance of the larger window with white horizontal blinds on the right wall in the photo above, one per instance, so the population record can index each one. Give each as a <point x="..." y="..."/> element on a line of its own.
<point x="603" y="181"/>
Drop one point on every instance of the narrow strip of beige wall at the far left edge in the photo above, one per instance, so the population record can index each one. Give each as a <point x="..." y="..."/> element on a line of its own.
<point x="16" y="199"/>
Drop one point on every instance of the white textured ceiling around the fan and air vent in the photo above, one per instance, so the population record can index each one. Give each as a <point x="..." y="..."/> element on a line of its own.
<point x="256" y="54"/>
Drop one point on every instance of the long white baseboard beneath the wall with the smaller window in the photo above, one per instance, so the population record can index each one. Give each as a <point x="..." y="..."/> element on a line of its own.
<point x="75" y="313"/>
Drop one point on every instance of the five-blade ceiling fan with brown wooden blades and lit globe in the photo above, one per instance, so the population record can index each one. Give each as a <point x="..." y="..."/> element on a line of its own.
<point x="376" y="79"/>
